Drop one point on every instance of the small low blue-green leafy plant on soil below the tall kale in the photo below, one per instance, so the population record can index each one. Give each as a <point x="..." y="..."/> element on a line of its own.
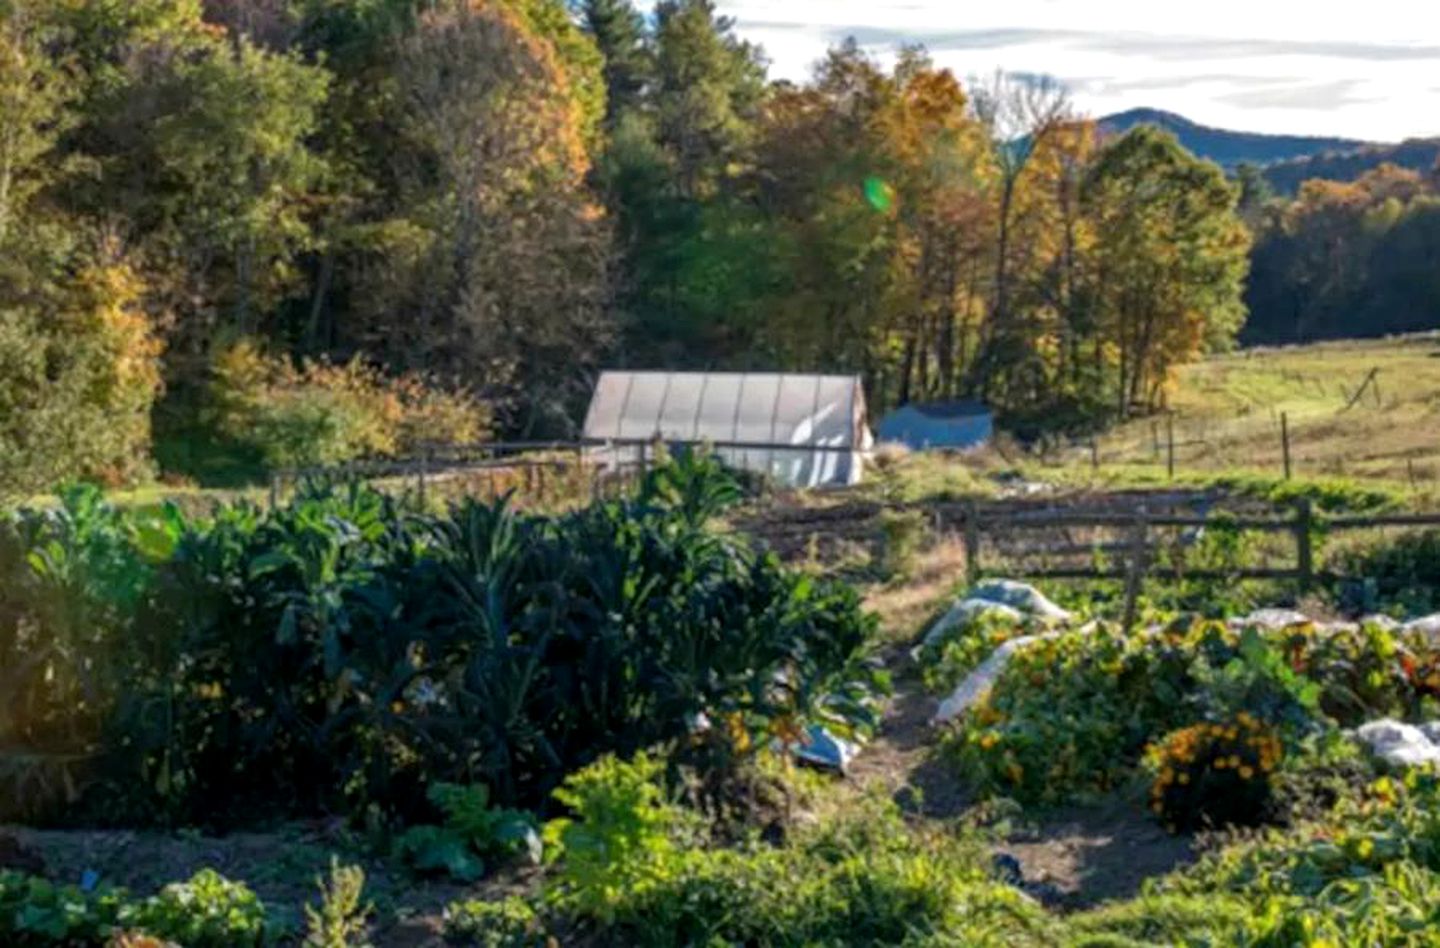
<point x="474" y="832"/>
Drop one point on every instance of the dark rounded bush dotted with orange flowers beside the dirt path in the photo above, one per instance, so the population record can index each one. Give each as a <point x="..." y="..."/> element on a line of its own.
<point x="1215" y="776"/>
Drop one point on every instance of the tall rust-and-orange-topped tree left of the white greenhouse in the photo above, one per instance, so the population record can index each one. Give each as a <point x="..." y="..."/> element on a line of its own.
<point x="498" y="259"/>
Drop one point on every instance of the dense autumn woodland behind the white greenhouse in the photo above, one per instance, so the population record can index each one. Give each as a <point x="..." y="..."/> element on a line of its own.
<point x="260" y="233"/>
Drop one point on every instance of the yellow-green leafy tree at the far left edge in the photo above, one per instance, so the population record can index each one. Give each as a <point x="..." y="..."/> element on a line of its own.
<point x="78" y="359"/>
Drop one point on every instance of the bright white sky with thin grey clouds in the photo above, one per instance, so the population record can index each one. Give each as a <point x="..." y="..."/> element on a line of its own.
<point x="1359" y="70"/>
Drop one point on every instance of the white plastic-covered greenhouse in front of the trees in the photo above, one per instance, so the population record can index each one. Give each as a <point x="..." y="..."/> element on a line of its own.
<point x="742" y="408"/>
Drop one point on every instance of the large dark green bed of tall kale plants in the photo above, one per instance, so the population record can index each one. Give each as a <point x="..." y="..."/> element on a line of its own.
<point x="342" y="652"/>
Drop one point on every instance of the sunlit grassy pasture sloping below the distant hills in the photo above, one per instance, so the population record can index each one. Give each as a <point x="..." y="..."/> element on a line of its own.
<point x="1228" y="414"/>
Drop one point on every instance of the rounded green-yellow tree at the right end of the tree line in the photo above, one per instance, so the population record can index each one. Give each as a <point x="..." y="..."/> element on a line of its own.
<point x="1171" y="260"/>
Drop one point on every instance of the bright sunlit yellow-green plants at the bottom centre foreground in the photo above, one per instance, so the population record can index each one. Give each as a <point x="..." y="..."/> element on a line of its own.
<point x="639" y="867"/>
